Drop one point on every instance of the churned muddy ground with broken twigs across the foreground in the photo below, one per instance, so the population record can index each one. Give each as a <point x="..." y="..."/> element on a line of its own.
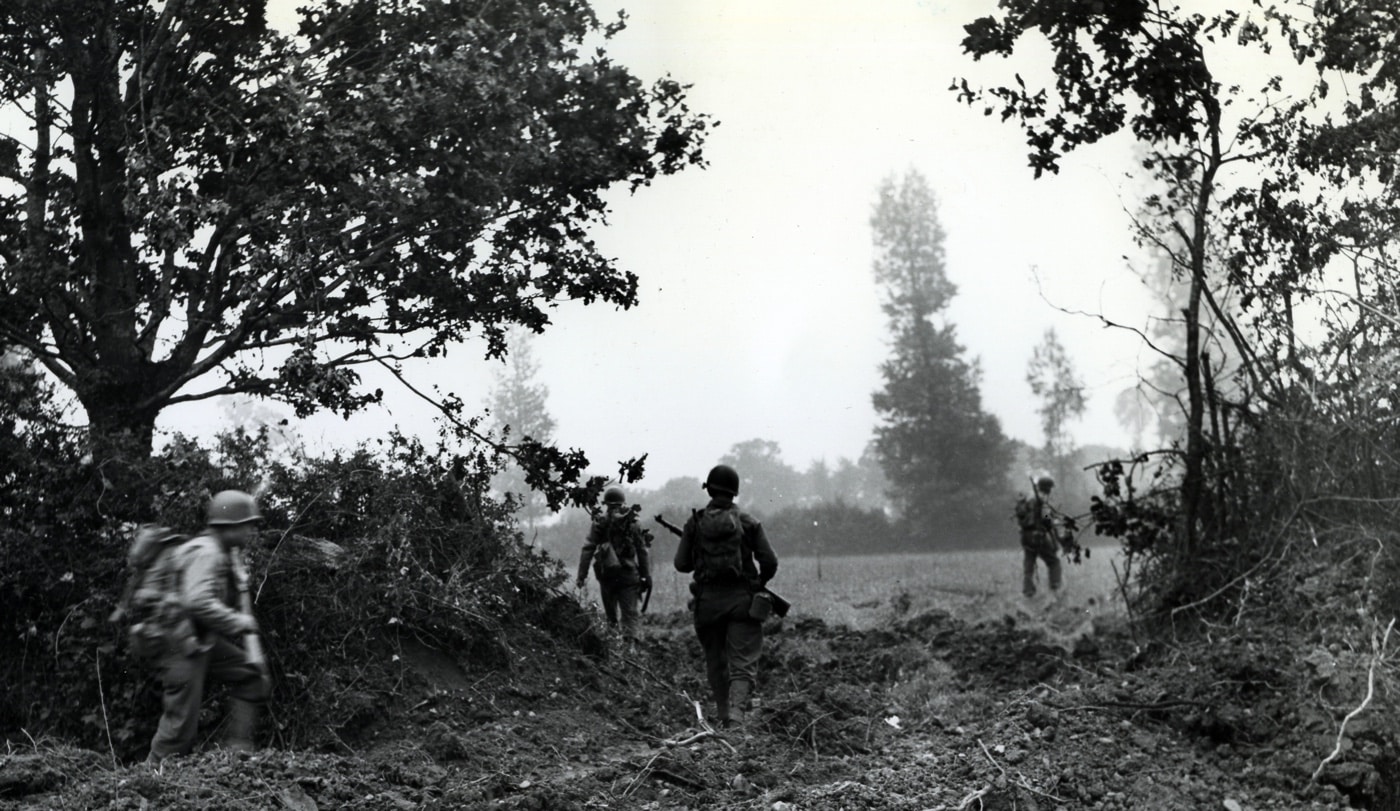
<point x="1039" y="708"/>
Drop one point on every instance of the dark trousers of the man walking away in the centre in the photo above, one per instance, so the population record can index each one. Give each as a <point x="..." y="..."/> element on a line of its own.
<point x="731" y="639"/>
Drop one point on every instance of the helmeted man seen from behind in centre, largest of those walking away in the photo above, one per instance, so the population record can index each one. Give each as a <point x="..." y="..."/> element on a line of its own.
<point x="733" y="564"/>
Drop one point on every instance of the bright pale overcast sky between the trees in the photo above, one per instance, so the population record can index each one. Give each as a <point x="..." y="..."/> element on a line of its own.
<point x="759" y="316"/>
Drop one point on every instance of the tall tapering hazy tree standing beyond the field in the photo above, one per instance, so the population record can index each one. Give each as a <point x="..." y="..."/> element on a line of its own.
<point x="944" y="456"/>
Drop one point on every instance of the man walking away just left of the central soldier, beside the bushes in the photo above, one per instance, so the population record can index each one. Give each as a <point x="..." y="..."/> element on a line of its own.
<point x="618" y="551"/>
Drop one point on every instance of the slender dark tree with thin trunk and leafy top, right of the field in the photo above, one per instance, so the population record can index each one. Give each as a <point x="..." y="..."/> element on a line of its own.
<point x="1144" y="68"/>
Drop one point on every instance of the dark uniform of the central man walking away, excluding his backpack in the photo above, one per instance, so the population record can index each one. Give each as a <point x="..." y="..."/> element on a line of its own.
<point x="729" y="632"/>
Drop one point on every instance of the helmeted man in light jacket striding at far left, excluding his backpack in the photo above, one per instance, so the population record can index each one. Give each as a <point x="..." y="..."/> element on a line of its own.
<point x="211" y="586"/>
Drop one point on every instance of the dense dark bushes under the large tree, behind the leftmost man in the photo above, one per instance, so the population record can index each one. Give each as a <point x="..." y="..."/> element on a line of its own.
<point x="359" y="554"/>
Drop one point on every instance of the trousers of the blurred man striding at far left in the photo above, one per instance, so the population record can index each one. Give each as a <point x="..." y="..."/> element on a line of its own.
<point x="183" y="683"/>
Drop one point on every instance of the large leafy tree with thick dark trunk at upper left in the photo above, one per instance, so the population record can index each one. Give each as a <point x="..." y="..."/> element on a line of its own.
<point x="205" y="207"/>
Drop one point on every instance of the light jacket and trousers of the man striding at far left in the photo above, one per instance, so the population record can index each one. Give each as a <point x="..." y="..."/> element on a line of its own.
<point x="211" y="593"/>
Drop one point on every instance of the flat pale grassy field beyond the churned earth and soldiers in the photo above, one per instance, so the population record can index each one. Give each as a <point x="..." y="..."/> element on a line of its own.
<point x="862" y="592"/>
